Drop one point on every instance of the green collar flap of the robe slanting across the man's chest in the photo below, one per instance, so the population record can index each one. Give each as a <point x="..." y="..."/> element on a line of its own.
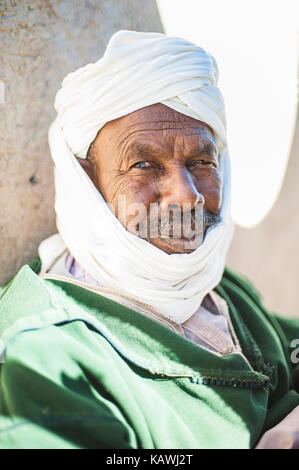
<point x="32" y="303"/>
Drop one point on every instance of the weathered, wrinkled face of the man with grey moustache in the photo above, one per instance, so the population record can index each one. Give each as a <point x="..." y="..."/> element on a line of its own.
<point x="156" y="164"/>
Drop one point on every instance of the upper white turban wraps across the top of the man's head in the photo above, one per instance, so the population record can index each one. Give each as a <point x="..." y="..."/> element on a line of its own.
<point x="137" y="70"/>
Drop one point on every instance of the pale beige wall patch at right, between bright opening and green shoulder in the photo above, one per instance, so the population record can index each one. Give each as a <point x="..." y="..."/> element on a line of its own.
<point x="268" y="254"/>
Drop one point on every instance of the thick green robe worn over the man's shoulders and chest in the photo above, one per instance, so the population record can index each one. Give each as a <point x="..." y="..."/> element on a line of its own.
<point x="82" y="371"/>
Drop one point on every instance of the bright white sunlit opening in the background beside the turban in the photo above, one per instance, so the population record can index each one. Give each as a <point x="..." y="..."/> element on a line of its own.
<point x="255" y="45"/>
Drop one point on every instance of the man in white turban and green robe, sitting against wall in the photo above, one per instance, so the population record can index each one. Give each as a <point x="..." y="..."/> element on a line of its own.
<point x="127" y="332"/>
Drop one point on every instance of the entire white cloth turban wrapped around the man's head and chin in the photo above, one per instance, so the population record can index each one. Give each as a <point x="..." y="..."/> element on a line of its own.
<point x="137" y="70"/>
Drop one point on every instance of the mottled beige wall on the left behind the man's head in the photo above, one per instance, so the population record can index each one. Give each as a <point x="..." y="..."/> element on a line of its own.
<point x="41" y="41"/>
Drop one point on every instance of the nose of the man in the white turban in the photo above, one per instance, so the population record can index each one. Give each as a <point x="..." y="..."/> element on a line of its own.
<point x="179" y="189"/>
